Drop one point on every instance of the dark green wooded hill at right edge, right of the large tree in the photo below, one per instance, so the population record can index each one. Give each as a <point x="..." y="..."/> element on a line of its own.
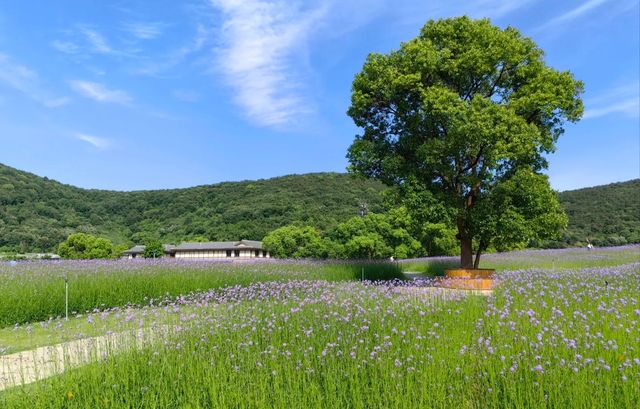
<point x="607" y="215"/>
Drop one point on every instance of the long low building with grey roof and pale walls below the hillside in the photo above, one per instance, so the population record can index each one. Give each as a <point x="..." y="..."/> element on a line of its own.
<point x="242" y="249"/>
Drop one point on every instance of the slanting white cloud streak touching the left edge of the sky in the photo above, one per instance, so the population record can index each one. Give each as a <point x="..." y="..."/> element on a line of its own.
<point x="27" y="81"/>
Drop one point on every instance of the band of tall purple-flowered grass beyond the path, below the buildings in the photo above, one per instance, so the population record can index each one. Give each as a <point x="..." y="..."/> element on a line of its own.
<point x="35" y="291"/>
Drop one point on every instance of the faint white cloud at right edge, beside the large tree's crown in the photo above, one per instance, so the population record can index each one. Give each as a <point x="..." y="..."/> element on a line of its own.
<point x="623" y="100"/>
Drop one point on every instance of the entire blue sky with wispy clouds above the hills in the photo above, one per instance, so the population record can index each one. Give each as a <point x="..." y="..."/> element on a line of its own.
<point x="158" y="94"/>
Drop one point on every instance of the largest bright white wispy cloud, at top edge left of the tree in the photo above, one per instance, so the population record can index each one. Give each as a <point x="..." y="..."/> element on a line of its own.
<point x="258" y="57"/>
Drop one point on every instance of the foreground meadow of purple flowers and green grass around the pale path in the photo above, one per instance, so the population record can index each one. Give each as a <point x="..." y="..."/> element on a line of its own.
<point x="548" y="337"/>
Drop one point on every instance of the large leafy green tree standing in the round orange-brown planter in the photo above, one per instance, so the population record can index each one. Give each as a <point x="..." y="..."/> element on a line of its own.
<point x="467" y="112"/>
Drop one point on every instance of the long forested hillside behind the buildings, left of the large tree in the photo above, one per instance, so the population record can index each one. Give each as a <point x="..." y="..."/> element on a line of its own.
<point x="36" y="213"/>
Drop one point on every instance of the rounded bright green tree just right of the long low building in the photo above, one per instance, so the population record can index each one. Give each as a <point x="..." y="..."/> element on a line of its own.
<point x="295" y="242"/>
